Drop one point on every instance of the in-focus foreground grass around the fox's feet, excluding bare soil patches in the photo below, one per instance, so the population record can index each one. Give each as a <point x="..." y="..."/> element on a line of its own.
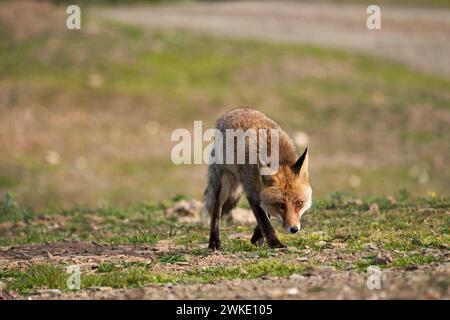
<point x="410" y="232"/>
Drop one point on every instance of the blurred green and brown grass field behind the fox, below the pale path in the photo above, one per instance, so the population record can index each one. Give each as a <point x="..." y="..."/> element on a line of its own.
<point x="155" y="82"/>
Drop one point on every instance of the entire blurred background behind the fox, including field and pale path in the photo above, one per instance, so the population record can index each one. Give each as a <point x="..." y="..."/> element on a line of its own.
<point x="86" y="115"/>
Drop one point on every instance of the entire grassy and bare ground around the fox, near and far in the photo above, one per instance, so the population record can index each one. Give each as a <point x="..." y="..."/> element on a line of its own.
<point x="85" y="170"/>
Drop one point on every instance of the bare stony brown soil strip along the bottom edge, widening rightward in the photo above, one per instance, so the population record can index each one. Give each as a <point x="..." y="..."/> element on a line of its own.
<point x="427" y="282"/>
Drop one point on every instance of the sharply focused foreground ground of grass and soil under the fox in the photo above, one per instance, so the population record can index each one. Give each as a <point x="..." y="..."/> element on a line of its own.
<point x="408" y="239"/>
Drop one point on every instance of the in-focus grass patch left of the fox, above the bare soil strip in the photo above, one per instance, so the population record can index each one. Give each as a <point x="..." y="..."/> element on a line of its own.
<point x="144" y="223"/>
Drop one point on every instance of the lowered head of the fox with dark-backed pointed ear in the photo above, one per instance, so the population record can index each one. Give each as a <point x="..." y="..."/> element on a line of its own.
<point x="287" y="194"/>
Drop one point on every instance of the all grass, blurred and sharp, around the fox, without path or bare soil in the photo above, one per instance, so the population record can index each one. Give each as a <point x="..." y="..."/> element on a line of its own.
<point x="85" y="126"/>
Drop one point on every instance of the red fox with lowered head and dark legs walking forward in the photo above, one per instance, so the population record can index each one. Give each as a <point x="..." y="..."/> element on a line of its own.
<point x="286" y="194"/>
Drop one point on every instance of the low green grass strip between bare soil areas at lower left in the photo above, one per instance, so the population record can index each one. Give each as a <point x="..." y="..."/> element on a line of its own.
<point x="54" y="277"/>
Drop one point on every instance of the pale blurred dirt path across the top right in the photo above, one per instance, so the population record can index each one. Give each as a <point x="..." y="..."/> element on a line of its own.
<point x="417" y="37"/>
